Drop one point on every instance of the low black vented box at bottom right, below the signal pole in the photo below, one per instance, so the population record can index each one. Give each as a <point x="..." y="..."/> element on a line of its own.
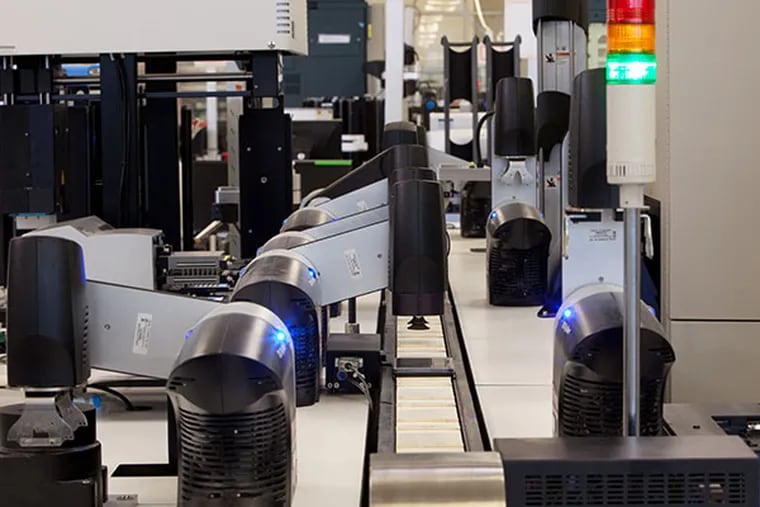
<point x="604" y="471"/>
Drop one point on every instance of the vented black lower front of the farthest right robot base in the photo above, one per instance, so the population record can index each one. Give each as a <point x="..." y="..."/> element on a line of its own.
<point x="517" y="277"/>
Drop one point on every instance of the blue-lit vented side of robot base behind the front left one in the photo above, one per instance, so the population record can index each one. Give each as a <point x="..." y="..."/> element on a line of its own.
<point x="304" y="330"/>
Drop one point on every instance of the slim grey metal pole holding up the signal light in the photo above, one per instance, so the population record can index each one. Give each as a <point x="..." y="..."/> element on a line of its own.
<point x="631" y="324"/>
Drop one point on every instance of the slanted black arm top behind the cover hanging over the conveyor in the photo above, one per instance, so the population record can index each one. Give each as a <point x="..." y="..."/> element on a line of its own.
<point x="378" y="168"/>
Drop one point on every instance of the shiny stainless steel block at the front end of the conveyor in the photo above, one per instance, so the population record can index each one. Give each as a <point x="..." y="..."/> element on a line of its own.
<point x="458" y="479"/>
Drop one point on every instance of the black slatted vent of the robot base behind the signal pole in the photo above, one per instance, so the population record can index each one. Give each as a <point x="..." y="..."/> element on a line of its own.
<point x="588" y="408"/>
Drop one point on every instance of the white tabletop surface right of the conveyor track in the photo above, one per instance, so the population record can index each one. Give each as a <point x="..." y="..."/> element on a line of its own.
<point x="510" y="350"/>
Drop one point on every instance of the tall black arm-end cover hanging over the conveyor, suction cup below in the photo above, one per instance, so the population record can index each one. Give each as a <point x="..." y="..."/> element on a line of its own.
<point x="418" y="248"/>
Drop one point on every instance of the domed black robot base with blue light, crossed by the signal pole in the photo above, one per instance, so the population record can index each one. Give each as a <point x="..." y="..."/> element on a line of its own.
<point x="588" y="367"/>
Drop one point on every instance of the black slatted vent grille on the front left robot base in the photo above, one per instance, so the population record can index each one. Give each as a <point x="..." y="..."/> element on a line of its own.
<point x="241" y="456"/>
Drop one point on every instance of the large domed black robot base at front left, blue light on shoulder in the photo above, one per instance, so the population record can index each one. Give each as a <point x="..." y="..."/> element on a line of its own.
<point x="232" y="390"/>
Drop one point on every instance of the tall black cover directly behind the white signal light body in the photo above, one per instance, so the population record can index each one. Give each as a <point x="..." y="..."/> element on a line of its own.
<point x="587" y="161"/>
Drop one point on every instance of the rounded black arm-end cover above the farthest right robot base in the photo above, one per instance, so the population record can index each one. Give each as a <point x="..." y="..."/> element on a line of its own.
<point x="514" y="118"/>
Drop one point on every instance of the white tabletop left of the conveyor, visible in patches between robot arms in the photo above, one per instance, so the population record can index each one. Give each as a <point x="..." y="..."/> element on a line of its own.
<point x="330" y="439"/>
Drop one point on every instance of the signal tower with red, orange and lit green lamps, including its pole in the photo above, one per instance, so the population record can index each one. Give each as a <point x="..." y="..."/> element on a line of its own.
<point x="631" y="124"/>
